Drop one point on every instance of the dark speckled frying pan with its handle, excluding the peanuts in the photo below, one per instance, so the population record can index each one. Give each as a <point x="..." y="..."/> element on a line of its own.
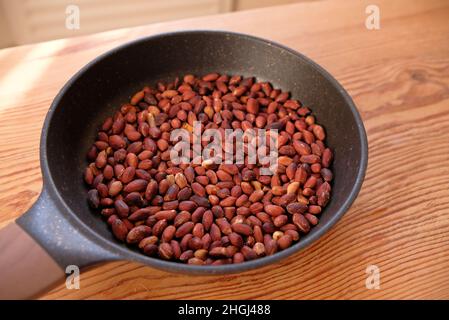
<point x="60" y="230"/>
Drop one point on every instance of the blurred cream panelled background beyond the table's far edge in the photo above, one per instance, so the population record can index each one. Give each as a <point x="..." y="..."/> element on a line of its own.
<point x="29" y="21"/>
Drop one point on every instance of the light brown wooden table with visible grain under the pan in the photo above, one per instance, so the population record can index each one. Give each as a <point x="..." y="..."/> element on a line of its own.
<point x="399" y="79"/>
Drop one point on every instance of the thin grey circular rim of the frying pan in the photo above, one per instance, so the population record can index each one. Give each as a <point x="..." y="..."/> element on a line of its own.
<point x="126" y="253"/>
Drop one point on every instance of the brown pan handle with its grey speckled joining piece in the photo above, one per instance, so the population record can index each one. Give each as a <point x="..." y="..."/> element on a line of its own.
<point x="37" y="248"/>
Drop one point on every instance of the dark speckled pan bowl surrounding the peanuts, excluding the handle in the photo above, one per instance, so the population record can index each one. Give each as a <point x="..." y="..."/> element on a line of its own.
<point x="103" y="85"/>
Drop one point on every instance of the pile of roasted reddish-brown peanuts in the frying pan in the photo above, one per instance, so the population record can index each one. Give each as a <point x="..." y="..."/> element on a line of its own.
<point x="208" y="213"/>
